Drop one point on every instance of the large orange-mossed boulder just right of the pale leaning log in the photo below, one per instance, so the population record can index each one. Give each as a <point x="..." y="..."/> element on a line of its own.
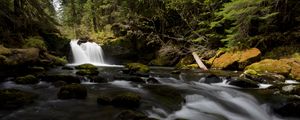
<point x="236" y="60"/>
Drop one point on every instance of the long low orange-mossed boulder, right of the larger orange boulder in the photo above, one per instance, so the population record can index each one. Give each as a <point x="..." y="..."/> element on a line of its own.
<point x="270" y="65"/>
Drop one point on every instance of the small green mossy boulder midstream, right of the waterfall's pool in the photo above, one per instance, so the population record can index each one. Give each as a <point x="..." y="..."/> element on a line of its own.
<point x="137" y="67"/>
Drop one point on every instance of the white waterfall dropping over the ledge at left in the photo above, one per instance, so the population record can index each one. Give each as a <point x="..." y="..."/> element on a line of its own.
<point x="88" y="52"/>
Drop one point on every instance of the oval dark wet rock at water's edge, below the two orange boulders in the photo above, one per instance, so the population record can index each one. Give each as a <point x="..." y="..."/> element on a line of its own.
<point x="244" y="83"/>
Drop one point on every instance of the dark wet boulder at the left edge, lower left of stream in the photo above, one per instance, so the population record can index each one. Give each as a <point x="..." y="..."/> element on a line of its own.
<point x="12" y="98"/>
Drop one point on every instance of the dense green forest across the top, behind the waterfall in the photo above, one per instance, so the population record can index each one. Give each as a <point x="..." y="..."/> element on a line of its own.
<point x="174" y="27"/>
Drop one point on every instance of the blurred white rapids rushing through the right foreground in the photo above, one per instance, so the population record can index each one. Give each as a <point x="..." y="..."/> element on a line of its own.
<point x="216" y="103"/>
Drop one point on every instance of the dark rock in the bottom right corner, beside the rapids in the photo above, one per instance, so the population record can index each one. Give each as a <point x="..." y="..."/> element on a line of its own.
<point x="289" y="109"/>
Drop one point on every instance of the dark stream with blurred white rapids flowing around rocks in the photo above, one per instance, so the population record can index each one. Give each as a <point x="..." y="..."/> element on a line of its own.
<point x="201" y="100"/>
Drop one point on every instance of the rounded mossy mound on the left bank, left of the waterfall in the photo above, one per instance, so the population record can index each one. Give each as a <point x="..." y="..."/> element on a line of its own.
<point x="36" y="42"/>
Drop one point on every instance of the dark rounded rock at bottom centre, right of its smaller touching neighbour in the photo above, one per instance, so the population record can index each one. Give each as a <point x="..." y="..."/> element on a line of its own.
<point x="127" y="100"/>
